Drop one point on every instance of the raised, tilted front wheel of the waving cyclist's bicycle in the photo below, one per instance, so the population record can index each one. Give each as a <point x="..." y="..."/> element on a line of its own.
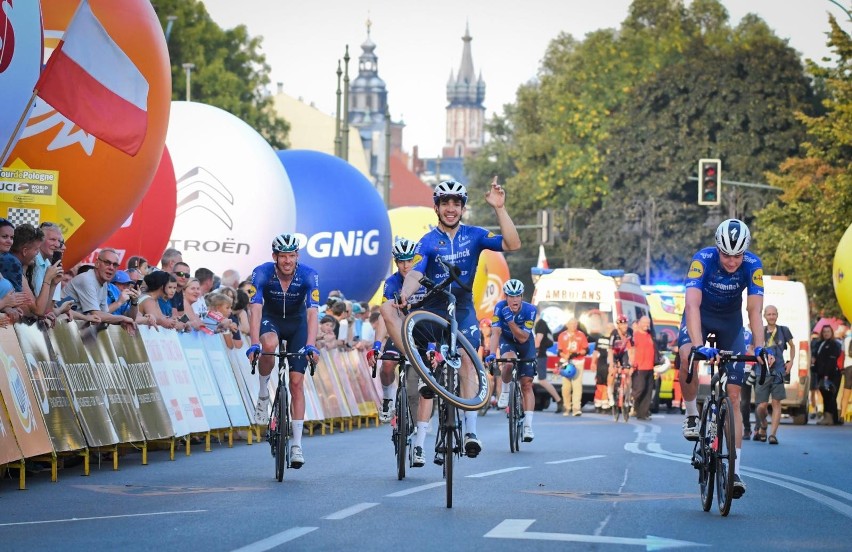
<point x="420" y="329"/>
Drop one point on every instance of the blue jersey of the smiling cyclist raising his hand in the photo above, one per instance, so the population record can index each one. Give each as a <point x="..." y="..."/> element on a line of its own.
<point x="462" y="250"/>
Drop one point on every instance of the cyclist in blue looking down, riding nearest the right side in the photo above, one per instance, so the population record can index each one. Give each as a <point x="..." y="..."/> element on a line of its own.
<point x="714" y="285"/>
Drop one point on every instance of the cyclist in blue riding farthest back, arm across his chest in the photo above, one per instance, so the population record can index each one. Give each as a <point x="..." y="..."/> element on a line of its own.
<point x="512" y="336"/>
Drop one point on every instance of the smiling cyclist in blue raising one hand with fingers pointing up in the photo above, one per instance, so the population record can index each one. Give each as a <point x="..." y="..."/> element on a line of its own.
<point x="461" y="245"/>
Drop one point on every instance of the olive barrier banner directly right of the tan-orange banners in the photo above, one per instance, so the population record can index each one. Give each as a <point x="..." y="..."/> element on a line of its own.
<point x="50" y="386"/>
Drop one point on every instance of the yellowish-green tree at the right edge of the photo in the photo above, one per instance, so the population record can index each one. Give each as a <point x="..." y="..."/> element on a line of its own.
<point x="797" y="236"/>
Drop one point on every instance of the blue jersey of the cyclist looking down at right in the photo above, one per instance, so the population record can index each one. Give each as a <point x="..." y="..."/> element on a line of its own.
<point x="722" y="292"/>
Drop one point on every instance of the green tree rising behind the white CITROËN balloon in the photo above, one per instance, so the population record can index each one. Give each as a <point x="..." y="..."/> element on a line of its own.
<point x="230" y="72"/>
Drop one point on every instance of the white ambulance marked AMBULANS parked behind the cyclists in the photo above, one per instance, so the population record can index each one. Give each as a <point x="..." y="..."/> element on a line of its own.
<point x="594" y="298"/>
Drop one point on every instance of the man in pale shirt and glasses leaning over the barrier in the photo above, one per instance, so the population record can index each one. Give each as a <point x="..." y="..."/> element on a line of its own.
<point x="89" y="293"/>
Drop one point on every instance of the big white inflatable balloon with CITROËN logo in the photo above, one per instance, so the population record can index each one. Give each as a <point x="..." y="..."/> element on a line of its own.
<point x="233" y="194"/>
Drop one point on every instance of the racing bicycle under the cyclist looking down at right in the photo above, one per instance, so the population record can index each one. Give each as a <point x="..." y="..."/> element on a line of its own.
<point x="714" y="454"/>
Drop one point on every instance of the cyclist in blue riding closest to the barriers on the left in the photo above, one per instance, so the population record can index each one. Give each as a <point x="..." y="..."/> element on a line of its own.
<point x="284" y="307"/>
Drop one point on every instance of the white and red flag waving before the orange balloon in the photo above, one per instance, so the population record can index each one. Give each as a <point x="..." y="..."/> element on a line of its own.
<point x="91" y="81"/>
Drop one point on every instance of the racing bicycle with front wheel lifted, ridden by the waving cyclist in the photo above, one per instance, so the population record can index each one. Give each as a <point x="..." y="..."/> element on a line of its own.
<point x="434" y="346"/>
